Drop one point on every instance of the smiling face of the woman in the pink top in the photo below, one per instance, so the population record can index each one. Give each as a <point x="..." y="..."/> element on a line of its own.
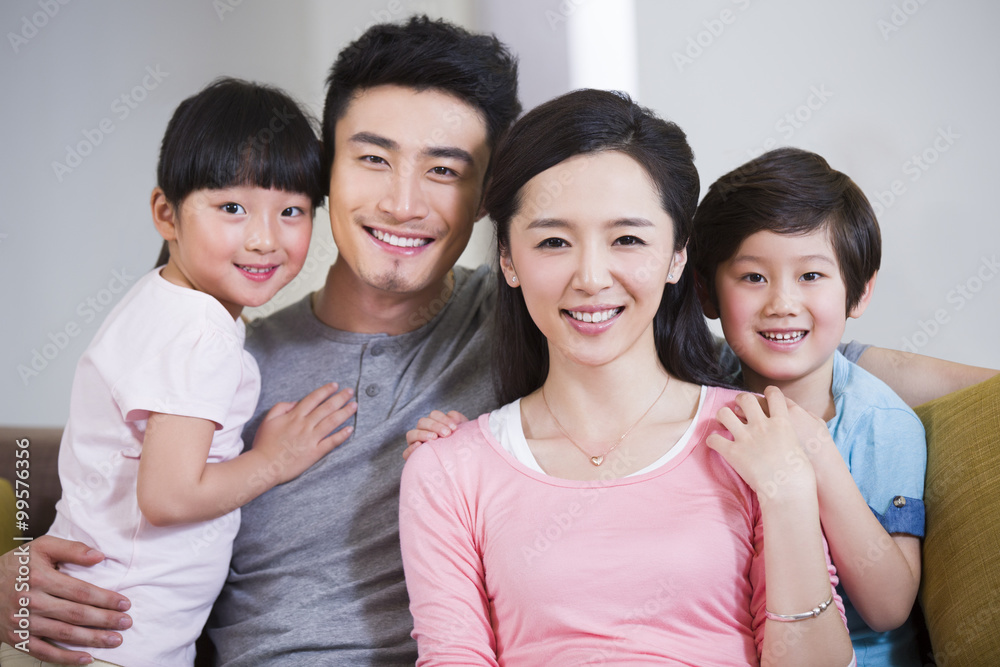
<point x="591" y="249"/>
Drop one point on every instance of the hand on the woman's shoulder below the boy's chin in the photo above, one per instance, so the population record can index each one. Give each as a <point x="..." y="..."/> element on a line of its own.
<point x="765" y="449"/>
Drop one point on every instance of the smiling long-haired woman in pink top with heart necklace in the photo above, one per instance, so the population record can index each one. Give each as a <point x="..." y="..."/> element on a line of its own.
<point x="606" y="516"/>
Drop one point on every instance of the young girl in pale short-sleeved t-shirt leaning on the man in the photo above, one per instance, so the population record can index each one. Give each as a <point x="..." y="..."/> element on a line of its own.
<point x="150" y="460"/>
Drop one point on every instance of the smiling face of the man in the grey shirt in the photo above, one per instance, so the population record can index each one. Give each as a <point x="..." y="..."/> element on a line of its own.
<point x="406" y="185"/>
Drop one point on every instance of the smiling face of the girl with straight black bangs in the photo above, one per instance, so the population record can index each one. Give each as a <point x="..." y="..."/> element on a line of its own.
<point x="239" y="244"/>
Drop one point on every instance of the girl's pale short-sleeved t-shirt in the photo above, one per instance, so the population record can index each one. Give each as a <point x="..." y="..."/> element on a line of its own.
<point x="173" y="350"/>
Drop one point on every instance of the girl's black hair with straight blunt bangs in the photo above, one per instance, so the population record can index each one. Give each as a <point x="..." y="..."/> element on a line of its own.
<point x="235" y="132"/>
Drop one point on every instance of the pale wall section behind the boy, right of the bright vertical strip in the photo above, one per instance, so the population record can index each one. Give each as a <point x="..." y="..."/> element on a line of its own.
<point x="868" y="85"/>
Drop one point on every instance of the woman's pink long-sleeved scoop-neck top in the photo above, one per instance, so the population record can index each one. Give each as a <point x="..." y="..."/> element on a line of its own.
<point x="506" y="565"/>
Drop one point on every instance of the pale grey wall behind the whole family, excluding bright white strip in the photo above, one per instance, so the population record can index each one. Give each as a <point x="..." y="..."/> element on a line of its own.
<point x="63" y="237"/>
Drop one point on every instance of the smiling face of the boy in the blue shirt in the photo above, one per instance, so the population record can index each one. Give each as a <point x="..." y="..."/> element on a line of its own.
<point x="781" y="300"/>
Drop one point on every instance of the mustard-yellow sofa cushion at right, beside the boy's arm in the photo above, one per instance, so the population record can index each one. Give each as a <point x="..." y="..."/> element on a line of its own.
<point x="961" y="550"/>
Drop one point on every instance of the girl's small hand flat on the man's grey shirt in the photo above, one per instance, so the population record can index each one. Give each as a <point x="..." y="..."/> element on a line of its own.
<point x="296" y="435"/>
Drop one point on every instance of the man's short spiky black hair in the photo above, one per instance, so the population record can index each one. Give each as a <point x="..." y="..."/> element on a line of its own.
<point x="423" y="54"/>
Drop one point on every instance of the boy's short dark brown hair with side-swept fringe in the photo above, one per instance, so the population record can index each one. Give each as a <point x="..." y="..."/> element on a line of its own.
<point x="787" y="191"/>
